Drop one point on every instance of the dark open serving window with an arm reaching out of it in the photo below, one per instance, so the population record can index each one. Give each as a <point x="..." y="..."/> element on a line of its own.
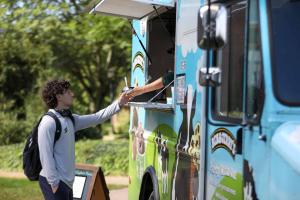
<point x="161" y="48"/>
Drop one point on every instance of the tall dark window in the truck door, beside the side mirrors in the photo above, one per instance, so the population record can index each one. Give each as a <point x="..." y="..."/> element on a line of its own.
<point x="228" y="97"/>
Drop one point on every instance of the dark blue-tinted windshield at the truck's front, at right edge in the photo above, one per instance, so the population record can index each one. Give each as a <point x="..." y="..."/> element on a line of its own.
<point x="285" y="26"/>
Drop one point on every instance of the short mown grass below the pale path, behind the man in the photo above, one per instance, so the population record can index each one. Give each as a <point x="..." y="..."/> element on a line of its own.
<point x="16" y="189"/>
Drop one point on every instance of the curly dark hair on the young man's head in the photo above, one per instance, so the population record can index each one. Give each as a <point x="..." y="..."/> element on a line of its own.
<point x="51" y="89"/>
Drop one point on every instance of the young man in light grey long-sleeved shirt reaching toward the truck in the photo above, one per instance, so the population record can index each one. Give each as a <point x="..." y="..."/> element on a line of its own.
<point x="58" y="161"/>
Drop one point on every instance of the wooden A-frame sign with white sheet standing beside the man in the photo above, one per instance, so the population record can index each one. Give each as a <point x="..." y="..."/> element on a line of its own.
<point x="89" y="183"/>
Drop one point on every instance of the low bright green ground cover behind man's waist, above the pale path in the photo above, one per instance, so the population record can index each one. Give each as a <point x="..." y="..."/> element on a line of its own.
<point x="112" y="156"/>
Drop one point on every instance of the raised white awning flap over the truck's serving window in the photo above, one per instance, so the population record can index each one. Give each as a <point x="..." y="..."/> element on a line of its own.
<point x="131" y="9"/>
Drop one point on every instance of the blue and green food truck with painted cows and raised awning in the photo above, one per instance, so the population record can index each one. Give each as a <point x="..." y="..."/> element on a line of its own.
<point x="228" y="127"/>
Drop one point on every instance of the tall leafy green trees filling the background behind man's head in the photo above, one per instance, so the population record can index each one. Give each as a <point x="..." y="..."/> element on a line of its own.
<point x="43" y="40"/>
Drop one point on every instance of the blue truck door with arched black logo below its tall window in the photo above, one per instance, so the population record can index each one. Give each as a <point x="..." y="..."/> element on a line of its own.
<point x="224" y="160"/>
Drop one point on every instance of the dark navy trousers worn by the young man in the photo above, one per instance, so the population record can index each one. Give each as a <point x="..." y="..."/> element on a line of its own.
<point x="64" y="192"/>
